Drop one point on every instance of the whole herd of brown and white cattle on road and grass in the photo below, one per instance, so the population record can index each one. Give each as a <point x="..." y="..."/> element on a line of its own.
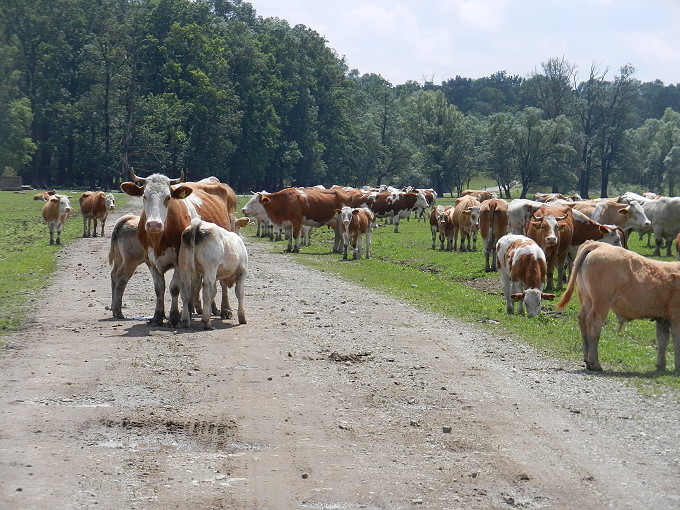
<point x="192" y="228"/>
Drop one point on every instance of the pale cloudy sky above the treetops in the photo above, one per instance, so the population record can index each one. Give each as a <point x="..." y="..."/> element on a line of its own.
<point x="435" y="40"/>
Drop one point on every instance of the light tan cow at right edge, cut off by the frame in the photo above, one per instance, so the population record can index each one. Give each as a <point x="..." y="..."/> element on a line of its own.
<point x="633" y="287"/>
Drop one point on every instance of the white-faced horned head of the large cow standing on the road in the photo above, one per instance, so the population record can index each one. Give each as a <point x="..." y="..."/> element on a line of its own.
<point x="157" y="190"/>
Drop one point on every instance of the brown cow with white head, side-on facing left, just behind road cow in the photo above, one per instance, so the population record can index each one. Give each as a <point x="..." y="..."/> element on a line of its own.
<point x="291" y="208"/>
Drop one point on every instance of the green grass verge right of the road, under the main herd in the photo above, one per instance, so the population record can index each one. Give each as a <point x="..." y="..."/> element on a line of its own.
<point x="454" y="284"/>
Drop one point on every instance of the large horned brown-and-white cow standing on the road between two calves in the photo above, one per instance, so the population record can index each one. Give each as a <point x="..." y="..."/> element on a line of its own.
<point x="169" y="207"/>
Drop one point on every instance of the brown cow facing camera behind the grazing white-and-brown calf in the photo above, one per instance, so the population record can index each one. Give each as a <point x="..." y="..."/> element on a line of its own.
<point x="552" y="227"/>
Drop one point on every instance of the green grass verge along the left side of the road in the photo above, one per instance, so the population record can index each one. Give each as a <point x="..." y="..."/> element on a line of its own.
<point x="27" y="260"/>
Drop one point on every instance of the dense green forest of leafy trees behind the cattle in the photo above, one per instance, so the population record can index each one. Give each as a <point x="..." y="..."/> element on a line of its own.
<point x="88" y="87"/>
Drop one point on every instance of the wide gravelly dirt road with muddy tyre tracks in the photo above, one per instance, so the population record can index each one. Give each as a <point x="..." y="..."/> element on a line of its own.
<point x="331" y="397"/>
